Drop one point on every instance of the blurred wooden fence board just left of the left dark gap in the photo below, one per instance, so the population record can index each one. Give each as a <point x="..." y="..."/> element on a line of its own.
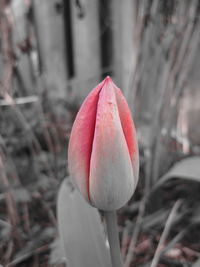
<point x="50" y="33"/>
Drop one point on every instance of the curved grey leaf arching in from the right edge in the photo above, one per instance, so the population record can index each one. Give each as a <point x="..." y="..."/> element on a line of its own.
<point x="188" y="169"/>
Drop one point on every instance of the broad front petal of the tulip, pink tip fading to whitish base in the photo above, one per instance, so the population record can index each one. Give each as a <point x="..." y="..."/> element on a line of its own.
<point x="111" y="179"/>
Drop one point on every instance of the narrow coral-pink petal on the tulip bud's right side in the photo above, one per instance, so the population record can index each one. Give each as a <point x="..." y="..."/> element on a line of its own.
<point x="129" y="131"/>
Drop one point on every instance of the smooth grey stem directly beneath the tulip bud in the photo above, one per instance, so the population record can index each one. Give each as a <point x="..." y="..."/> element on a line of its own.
<point x="113" y="238"/>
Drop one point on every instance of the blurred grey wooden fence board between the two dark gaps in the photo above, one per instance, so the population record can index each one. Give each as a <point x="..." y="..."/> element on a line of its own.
<point x="86" y="47"/>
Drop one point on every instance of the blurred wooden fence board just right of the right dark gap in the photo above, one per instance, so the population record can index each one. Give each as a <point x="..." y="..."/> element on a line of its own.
<point x="124" y="52"/>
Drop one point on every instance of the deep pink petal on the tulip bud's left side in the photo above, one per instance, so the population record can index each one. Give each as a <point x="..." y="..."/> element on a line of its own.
<point x="81" y="140"/>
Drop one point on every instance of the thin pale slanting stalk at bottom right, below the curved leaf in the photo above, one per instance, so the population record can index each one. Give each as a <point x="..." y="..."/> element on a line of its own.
<point x="165" y="233"/>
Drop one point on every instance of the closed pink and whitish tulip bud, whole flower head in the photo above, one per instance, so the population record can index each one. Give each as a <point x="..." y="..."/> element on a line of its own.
<point x="103" y="150"/>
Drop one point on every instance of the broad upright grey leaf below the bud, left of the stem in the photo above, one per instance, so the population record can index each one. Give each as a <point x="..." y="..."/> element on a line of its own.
<point x="80" y="230"/>
